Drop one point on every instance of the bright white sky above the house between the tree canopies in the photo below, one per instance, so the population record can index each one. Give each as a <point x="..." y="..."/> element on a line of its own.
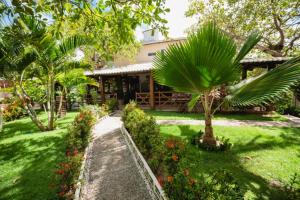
<point x="177" y="22"/>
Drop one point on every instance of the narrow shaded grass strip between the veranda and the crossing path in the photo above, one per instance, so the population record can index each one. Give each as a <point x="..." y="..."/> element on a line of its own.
<point x="184" y="116"/>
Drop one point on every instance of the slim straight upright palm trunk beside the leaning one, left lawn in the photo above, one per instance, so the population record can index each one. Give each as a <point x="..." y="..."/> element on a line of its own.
<point x="51" y="101"/>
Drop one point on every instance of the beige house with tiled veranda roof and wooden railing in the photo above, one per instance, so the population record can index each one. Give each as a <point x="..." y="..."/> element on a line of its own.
<point x="132" y="80"/>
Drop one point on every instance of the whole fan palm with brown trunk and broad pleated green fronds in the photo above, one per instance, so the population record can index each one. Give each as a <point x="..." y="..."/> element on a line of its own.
<point x="208" y="60"/>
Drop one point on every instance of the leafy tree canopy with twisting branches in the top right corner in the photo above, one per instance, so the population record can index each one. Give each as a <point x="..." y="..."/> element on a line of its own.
<point x="278" y="21"/>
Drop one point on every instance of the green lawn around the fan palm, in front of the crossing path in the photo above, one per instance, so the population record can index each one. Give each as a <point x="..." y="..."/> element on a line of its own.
<point x="259" y="155"/>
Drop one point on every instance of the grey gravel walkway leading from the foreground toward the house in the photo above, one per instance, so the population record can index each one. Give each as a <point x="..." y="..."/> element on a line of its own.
<point x="111" y="171"/>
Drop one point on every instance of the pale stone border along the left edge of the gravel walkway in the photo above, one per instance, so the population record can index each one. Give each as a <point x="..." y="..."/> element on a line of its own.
<point x="83" y="172"/>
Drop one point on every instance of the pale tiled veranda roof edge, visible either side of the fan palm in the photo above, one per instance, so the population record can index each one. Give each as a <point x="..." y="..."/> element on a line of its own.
<point x="146" y="67"/>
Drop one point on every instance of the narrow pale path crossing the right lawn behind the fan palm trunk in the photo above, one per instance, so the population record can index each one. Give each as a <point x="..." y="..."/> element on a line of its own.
<point x="232" y="123"/>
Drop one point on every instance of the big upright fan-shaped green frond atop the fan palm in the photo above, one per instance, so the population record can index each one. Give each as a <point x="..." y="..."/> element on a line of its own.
<point x="204" y="61"/>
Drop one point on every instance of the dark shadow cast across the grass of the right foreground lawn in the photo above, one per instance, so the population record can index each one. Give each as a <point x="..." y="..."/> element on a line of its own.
<point x="200" y="161"/>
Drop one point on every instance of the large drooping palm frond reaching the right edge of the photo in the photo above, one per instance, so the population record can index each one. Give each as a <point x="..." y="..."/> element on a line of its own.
<point x="267" y="87"/>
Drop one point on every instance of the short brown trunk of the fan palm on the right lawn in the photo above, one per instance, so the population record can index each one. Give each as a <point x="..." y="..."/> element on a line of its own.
<point x="208" y="136"/>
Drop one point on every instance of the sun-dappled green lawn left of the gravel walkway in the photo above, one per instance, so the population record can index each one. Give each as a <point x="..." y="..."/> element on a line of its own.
<point x="28" y="159"/>
